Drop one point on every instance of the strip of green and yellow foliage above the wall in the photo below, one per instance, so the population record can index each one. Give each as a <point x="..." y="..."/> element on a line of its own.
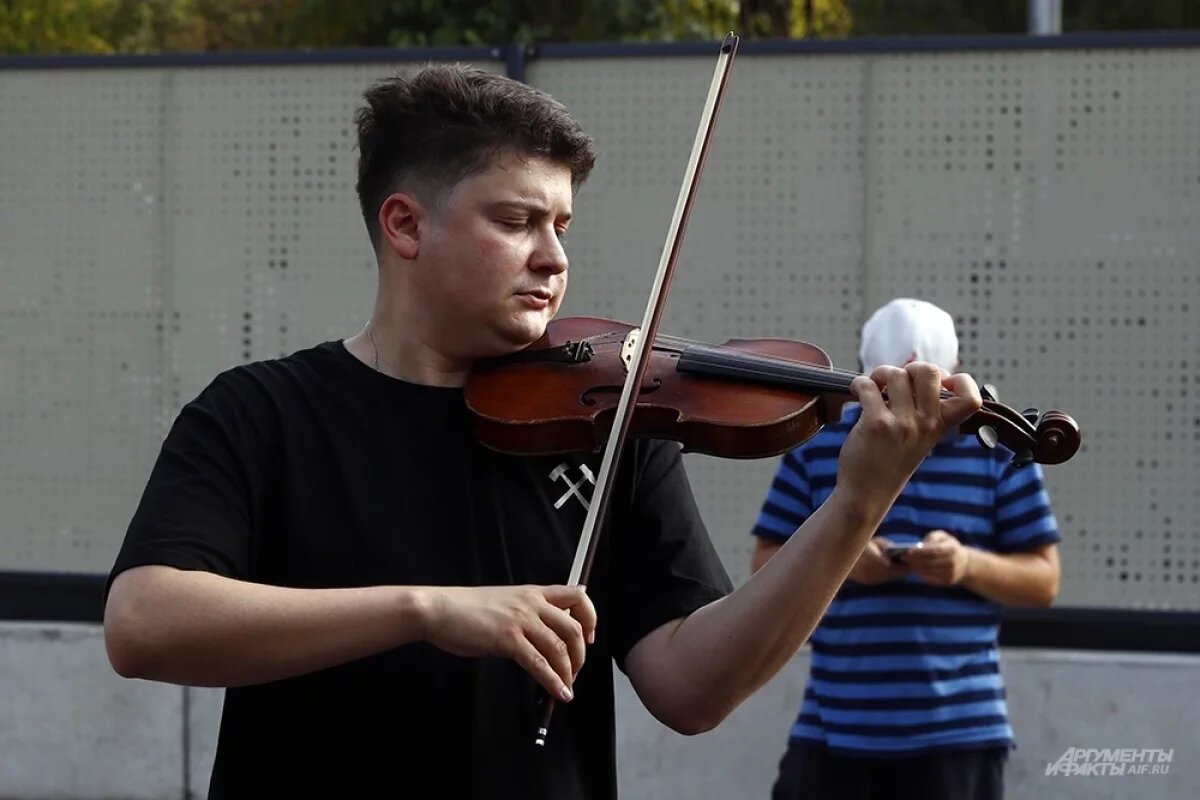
<point x="200" y="26"/>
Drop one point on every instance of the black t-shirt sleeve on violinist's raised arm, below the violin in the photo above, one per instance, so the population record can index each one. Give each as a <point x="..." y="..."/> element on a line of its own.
<point x="664" y="563"/>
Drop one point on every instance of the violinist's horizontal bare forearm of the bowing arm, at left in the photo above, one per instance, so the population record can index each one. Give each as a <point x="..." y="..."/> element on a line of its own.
<point x="200" y="629"/>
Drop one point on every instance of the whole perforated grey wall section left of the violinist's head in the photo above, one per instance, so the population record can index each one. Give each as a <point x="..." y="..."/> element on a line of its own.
<point x="157" y="227"/>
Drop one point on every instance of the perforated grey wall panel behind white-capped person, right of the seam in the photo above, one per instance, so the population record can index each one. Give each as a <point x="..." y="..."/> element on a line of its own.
<point x="1049" y="201"/>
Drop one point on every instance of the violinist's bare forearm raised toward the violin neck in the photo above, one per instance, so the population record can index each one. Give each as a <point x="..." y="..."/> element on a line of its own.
<point x="713" y="660"/>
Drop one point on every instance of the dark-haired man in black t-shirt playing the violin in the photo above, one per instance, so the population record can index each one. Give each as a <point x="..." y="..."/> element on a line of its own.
<point x="382" y="596"/>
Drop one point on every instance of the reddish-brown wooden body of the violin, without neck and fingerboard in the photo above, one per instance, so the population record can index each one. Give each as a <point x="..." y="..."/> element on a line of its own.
<point x="545" y="407"/>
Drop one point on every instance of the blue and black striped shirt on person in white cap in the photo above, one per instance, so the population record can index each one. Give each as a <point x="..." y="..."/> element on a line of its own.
<point x="905" y="667"/>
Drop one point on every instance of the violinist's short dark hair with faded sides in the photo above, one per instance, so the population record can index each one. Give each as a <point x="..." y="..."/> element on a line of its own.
<point x="429" y="130"/>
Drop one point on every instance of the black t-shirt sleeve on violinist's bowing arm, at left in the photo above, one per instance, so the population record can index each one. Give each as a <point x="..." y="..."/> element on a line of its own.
<point x="200" y="506"/>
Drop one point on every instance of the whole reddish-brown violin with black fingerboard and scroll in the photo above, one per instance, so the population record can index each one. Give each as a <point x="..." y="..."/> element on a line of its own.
<point x="746" y="399"/>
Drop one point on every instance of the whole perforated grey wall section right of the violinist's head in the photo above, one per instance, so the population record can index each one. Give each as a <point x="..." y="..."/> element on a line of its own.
<point x="1042" y="199"/>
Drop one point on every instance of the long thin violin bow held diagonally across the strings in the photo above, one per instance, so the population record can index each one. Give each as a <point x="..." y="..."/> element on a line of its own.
<point x="602" y="495"/>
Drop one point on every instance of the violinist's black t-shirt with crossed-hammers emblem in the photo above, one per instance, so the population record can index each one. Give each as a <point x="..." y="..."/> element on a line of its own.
<point x="315" y="471"/>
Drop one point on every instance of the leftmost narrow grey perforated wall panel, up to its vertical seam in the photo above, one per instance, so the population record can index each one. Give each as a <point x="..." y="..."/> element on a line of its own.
<point x="81" y="287"/>
